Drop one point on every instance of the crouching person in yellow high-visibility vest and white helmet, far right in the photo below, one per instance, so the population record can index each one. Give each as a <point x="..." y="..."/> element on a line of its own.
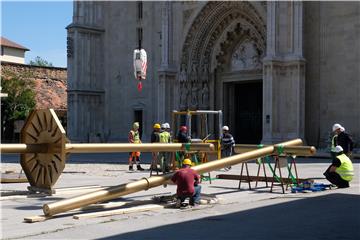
<point x="341" y="171"/>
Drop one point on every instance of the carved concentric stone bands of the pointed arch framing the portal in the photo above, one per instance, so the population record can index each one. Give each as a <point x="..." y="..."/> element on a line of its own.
<point x="218" y="26"/>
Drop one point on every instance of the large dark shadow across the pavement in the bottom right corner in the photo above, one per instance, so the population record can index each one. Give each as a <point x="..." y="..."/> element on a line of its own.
<point x="334" y="216"/>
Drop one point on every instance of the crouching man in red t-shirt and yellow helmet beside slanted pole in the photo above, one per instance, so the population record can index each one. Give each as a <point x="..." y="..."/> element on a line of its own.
<point x="187" y="181"/>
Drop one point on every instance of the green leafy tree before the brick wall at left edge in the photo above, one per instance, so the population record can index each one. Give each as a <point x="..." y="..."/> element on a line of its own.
<point x="18" y="104"/>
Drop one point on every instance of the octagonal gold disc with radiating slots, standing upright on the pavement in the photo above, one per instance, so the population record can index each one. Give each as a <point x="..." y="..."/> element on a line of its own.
<point x="43" y="169"/>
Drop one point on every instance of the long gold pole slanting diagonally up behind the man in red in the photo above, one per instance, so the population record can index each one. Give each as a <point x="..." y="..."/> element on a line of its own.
<point x="154" y="181"/>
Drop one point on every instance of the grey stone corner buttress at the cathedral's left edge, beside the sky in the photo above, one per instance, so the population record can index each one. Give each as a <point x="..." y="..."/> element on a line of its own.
<point x="85" y="72"/>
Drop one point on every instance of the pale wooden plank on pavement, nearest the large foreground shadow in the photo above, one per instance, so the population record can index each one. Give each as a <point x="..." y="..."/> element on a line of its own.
<point x="144" y="208"/>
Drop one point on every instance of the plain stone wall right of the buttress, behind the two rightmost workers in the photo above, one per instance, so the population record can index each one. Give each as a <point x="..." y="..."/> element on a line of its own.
<point x="332" y="53"/>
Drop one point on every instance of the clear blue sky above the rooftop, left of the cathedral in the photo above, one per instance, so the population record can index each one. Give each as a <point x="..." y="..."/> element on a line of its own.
<point x="38" y="26"/>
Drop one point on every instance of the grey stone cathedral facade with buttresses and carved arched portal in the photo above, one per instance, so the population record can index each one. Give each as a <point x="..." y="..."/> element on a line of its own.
<point x="277" y="70"/>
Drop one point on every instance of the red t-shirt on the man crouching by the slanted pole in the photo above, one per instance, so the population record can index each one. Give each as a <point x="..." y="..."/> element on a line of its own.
<point x="185" y="179"/>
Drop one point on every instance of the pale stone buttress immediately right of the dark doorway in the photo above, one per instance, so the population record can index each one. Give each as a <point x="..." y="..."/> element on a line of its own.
<point x="284" y="73"/>
